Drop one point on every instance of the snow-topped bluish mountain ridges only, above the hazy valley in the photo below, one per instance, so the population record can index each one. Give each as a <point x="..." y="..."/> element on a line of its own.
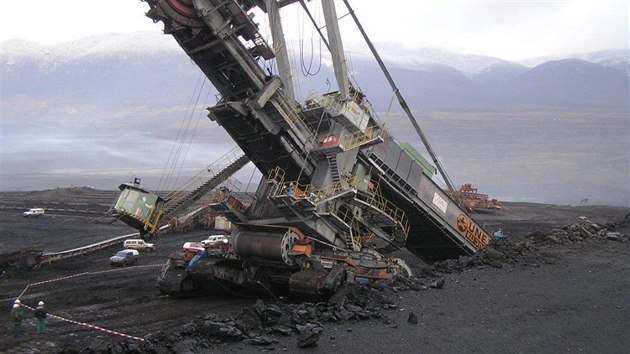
<point x="430" y="78"/>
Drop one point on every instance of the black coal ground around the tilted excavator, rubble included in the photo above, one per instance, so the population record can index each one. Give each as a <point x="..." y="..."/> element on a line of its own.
<point x="559" y="290"/>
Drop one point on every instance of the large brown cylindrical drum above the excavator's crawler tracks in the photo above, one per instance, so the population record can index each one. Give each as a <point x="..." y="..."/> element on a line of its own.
<point x="269" y="245"/>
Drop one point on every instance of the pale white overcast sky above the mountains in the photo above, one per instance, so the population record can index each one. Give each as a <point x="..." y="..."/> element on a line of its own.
<point x="509" y="29"/>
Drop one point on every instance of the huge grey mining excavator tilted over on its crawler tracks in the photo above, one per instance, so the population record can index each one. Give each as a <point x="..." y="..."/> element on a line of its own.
<point x="338" y="192"/>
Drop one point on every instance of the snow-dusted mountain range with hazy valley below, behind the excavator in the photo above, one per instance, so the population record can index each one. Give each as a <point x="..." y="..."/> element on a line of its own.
<point x="95" y="110"/>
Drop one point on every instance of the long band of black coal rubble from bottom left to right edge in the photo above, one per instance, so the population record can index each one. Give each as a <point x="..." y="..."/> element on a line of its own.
<point x="265" y="322"/>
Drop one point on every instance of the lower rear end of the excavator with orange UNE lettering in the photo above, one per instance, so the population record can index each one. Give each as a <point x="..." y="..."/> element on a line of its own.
<point x="439" y="228"/>
